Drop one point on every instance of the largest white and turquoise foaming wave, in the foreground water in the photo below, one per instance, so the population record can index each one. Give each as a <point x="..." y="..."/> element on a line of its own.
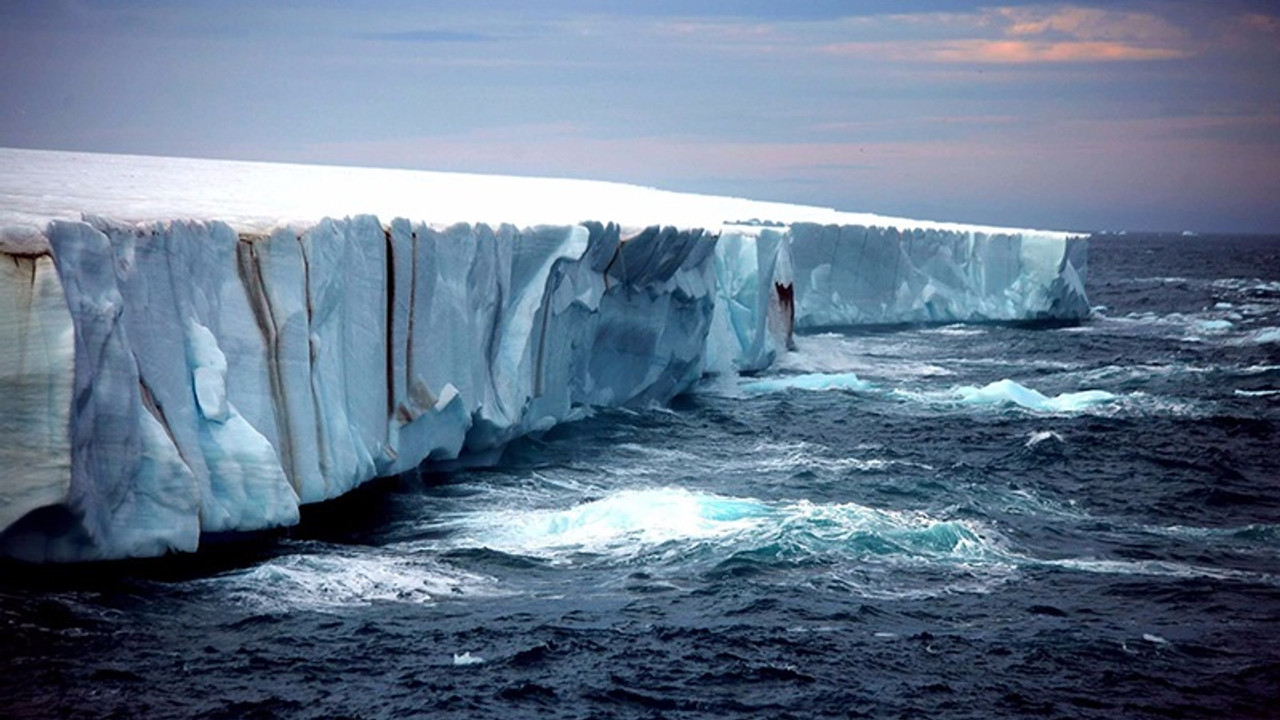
<point x="670" y="525"/>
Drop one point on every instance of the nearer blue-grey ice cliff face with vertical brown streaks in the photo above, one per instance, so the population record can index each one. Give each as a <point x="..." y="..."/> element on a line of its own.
<point x="173" y="380"/>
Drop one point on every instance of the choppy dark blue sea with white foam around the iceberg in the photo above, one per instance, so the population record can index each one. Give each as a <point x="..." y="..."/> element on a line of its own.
<point x="970" y="522"/>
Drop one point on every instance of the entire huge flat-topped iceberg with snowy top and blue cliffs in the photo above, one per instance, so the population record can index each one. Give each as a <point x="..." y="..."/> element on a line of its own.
<point x="193" y="347"/>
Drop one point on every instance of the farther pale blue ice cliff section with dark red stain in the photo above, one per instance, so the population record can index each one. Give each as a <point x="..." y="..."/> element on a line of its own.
<point x="774" y="281"/>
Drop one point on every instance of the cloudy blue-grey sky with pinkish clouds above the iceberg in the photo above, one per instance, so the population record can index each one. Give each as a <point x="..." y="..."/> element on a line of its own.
<point x="1081" y="116"/>
